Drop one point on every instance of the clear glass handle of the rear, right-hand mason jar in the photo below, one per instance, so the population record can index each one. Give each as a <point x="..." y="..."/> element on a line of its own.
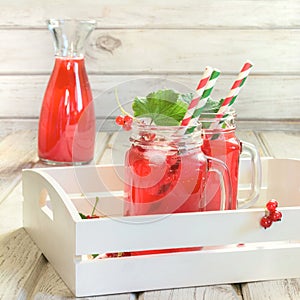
<point x="255" y="175"/>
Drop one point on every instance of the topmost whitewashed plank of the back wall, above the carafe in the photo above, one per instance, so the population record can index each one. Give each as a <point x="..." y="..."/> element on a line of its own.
<point x="170" y="14"/>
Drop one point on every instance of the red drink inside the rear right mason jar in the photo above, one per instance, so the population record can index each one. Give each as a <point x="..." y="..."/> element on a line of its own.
<point x="226" y="147"/>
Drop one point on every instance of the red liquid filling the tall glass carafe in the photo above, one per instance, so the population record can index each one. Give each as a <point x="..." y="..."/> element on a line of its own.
<point x="67" y="119"/>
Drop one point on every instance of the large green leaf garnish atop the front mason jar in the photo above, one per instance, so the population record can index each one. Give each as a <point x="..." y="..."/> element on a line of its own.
<point x="163" y="107"/>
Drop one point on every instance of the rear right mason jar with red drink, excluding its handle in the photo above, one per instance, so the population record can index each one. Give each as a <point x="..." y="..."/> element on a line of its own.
<point x="220" y="142"/>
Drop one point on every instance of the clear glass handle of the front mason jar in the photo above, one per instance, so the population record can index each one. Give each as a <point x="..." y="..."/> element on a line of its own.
<point x="225" y="182"/>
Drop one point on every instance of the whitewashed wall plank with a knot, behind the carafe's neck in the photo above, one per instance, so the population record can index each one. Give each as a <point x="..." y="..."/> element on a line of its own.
<point x="159" y="51"/>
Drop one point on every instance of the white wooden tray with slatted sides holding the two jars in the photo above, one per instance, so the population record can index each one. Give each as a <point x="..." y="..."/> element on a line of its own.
<point x="53" y="198"/>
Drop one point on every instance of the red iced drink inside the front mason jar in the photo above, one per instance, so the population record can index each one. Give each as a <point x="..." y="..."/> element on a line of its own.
<point x="160" y="183"/>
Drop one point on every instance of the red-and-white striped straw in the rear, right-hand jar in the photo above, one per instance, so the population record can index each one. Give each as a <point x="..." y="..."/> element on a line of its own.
<point x="236" y="87"/>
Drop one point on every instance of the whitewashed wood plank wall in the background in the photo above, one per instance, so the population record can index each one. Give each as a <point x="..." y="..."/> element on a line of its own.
<point x="137" y="42"/>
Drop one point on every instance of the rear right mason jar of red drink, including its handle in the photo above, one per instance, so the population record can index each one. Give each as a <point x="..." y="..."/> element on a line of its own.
<point x="221" y="142"/>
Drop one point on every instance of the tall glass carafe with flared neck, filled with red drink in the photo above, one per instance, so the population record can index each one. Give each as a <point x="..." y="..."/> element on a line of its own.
<point x="67" y="119"/>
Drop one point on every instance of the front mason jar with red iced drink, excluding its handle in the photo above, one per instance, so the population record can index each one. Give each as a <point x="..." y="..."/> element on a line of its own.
<point x="164" y="173"/>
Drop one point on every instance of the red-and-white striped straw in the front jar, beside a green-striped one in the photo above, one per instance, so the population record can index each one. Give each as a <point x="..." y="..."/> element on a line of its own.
<point x="199" y="91"/>
